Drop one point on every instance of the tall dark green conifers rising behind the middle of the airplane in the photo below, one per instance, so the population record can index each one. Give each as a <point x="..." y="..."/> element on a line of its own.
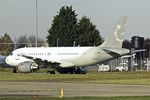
<point x="67" y="30"/>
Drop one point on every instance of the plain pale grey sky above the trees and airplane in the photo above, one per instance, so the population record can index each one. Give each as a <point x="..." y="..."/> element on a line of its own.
<point x="17" y="17"/>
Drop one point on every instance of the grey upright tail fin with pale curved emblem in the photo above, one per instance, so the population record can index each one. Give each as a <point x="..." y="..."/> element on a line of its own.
<point x="115" y="38"/>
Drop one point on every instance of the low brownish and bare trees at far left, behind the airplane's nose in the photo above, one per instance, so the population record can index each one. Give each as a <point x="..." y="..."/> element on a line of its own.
<point x="7" y="45"/>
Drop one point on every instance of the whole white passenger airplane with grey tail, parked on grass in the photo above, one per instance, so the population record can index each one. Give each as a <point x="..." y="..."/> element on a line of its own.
<point x="70" y="59"/>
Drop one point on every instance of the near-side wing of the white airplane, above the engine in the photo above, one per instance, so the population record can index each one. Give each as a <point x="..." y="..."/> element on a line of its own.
<point x="53" y="63"/>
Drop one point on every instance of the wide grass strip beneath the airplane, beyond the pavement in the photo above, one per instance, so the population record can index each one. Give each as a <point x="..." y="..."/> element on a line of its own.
<point x="137" y="78"/>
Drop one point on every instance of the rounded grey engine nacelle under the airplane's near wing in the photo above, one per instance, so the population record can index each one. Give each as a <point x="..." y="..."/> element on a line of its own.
<point x="27" y="67"/>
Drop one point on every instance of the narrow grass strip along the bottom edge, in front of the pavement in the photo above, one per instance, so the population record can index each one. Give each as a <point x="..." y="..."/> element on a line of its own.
<point x="78" y="98"/>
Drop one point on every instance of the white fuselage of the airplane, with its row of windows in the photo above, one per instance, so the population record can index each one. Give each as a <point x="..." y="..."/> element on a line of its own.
<point x="78" y="56"/>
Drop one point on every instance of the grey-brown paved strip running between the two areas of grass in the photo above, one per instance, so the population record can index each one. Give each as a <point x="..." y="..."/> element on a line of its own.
<point x="71" y="89"/>
